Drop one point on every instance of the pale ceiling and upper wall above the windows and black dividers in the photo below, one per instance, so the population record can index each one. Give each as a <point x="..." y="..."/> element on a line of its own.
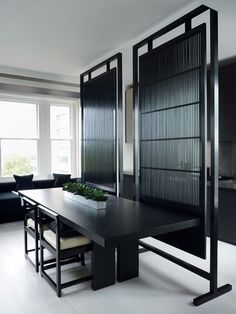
<point x="62" y="37"/>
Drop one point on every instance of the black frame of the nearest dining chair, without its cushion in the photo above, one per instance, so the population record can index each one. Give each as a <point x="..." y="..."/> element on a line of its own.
<point x="61" y="257"/>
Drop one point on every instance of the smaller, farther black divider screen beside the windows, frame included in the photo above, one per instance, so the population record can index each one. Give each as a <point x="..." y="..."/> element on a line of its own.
<point x="101" y="97"/>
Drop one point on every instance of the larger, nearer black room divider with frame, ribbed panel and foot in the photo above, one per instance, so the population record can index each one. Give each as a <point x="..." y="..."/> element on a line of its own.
<point x="170" y="135"/>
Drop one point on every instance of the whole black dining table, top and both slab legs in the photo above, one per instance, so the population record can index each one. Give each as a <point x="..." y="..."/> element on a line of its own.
<point x="119" y="226"/>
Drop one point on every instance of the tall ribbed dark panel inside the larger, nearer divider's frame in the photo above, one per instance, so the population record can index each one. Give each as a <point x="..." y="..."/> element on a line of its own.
<point x="172" y="131"/>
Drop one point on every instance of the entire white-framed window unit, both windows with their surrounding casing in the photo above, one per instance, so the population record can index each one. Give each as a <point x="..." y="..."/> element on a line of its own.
<point x="38" y="136"/>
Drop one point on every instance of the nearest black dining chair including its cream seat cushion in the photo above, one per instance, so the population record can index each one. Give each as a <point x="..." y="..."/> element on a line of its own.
<point x="66" y="246"/>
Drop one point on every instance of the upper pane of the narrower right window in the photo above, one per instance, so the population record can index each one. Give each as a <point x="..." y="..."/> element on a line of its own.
<point x="60" y="122"/>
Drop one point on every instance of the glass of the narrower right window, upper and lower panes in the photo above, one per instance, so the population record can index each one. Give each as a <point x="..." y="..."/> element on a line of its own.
<point x="60" y="129"/>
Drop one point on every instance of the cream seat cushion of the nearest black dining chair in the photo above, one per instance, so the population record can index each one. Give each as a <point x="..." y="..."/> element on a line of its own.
<point x="66" y="243"/>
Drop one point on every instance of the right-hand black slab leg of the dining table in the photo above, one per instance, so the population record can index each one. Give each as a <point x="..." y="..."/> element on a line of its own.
<point x="127" y="260"/>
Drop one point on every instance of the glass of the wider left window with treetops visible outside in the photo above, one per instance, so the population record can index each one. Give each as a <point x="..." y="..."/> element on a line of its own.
<point x="18" y="138"/>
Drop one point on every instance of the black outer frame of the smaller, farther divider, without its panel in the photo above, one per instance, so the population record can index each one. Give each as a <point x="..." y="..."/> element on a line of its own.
<point x="118" y="123"/>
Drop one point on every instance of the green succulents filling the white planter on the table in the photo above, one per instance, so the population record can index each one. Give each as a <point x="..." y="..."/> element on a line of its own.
<point x="94" y="194"/>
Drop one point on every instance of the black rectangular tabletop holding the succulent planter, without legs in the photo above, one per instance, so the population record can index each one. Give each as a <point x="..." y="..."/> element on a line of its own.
<point x="122" y="220"/>
